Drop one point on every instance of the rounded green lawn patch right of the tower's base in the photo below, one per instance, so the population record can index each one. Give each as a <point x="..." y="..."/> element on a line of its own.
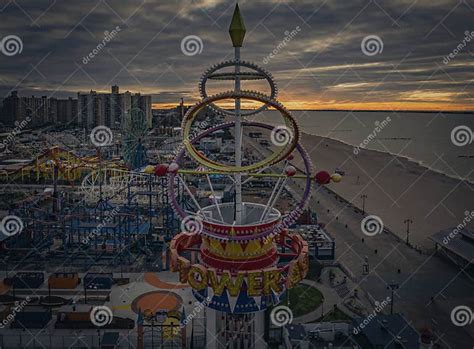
<point x="303" y="299"/>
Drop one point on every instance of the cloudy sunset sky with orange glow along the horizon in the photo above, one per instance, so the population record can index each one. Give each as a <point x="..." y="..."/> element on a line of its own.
<point x="337" y="54"/>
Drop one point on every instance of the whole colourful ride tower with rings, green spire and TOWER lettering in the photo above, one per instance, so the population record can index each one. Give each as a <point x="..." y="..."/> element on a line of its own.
<point x="238" y="257"/>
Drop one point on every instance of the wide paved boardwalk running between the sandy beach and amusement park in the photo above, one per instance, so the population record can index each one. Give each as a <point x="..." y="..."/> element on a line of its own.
<point x="429" y="287"/>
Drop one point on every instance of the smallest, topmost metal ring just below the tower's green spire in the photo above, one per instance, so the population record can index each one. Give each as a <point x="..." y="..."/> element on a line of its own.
<point x="211" y="71"/>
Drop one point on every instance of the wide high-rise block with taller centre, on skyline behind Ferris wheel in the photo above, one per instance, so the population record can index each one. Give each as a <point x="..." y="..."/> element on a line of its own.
<point x="110" y="109"/>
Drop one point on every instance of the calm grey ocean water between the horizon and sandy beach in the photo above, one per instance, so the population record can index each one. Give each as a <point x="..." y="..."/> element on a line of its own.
<point x="425" y="138"/>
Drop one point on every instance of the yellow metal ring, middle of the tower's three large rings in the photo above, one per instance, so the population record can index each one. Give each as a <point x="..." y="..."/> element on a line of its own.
<point x="282" y="153"/>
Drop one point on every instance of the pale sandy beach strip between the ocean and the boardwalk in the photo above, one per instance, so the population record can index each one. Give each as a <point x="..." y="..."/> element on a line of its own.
<point x="396" y="188"/>
